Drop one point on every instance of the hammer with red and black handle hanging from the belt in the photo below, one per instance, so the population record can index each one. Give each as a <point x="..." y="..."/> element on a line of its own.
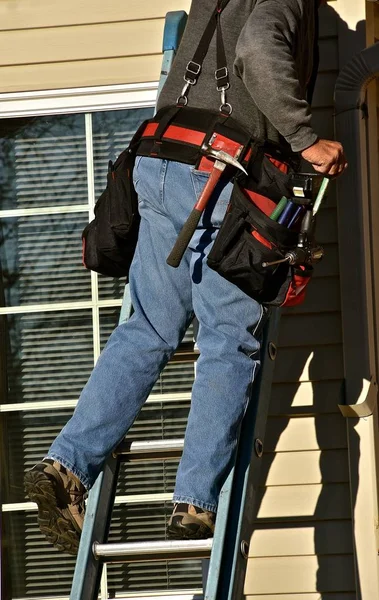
<point x="222" y="160"/>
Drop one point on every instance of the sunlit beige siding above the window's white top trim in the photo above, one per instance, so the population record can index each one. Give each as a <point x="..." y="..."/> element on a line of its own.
<point x="51" y="45"/>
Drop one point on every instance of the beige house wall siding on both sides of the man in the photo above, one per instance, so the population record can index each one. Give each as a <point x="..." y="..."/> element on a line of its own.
<point x="303" y="539"/>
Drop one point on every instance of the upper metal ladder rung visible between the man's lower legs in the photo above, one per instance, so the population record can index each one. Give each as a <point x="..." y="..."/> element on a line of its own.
<point x="154" y="450"/>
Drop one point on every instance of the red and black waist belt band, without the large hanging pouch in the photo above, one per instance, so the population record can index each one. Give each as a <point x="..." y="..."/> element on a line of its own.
<point x="181" y="135"/>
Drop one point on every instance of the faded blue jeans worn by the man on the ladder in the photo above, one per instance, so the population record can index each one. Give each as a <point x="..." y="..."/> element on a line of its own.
<point x="165" y="301"/>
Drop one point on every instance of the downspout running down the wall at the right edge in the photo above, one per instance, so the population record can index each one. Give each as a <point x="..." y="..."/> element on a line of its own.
<point x="358" y="222"/>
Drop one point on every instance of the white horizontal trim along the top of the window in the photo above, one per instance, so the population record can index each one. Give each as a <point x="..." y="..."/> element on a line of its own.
<point x="74" y="100"/>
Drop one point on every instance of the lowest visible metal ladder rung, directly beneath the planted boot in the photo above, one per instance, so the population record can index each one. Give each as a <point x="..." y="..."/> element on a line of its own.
<point x="153" y="551"/>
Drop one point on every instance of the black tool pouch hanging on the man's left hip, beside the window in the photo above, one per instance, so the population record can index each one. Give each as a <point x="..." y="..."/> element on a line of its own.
<point x="109" y="241"/>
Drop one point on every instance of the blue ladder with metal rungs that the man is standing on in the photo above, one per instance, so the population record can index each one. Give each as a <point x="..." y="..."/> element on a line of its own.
<point x="227" y="553"/>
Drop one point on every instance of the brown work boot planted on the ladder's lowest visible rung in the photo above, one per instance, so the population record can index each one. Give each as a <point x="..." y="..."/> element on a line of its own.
<point x="189" y="522"/>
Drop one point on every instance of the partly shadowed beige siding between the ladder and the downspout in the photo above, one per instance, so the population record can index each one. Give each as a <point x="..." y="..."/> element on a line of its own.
<point x="302" y="546"/>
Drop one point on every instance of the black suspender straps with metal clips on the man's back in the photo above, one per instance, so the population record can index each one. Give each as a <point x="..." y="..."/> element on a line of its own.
<point x="194" y="66"/>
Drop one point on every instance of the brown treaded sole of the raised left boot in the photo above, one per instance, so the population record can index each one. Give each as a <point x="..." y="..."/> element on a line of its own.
<point x="55" y="526"/>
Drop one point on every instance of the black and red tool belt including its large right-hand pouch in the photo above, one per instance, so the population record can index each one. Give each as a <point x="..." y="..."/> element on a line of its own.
<point x="248" y="237"/>
